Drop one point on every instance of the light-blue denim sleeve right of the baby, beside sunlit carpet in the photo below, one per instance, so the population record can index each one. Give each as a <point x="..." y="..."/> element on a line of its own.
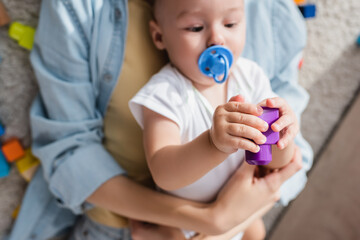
<point x="289" y="36"/>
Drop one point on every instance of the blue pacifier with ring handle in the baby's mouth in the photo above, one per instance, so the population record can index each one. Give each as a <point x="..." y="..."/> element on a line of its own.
<point x="216" y="61"/>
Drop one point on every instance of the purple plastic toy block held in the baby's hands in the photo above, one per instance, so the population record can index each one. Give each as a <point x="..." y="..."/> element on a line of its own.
<point x="264" y="156"/>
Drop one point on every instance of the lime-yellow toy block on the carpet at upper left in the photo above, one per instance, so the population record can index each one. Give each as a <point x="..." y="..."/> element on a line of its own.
<point x="23" y="34"/>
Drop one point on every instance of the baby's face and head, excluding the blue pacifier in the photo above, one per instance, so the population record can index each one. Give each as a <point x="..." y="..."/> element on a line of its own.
<point x="187" y="27"/>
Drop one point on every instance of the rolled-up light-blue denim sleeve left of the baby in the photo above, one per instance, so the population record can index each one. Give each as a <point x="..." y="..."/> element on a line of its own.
<point x="67" y="127"/>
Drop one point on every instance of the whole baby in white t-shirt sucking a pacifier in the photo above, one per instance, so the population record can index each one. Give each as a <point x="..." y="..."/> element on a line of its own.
<point x="194" y="133"/>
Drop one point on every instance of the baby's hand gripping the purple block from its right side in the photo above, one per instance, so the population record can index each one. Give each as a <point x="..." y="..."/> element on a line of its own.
<point x="287" y="124"/>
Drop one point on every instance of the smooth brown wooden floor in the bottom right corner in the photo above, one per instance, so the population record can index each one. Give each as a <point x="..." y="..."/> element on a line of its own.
<point x="329" y="206"/>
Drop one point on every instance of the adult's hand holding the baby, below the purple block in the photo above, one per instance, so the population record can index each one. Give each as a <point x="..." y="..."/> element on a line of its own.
<point x="246" y="197"/>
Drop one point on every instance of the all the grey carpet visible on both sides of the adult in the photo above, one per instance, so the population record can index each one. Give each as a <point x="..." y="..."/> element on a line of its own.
<point x="331" y="73"/>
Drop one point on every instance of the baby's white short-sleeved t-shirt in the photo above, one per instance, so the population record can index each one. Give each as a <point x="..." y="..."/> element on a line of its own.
<point x="173" y="96"/>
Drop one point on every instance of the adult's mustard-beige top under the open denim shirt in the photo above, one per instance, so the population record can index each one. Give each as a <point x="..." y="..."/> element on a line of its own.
<point x="123" y="137"/>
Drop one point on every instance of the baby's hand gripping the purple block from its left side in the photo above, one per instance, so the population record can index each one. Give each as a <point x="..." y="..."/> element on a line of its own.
<point x="236" y="125"/>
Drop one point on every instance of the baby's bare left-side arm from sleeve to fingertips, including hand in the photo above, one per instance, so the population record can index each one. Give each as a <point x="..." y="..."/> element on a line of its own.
<point x="174" y="165"/>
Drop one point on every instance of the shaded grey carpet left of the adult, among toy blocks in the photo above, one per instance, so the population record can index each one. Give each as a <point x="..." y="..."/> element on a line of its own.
<point x="17" y="89"/>
